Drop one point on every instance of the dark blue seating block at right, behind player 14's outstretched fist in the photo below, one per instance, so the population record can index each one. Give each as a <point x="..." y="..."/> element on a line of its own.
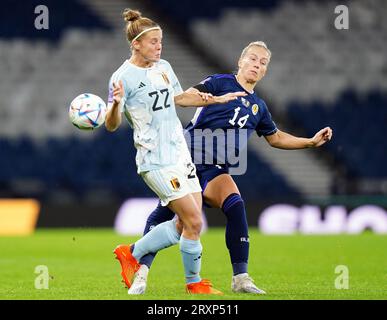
<point x="359" y="123"/>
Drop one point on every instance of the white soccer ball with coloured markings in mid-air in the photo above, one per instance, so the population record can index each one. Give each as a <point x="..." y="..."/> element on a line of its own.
<point x="87" y="111"/>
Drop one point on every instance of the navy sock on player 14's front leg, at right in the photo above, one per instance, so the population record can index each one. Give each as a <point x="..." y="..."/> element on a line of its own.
<point x="237" y="235"/>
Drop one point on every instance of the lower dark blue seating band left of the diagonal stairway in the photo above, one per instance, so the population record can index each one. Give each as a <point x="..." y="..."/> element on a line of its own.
<point x="106" y="162"/>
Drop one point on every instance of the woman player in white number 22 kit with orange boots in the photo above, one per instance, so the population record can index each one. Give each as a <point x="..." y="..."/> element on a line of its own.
<point x="146" y="89"/>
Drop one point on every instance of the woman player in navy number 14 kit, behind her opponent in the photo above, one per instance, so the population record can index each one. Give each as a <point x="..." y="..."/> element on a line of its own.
<point x="248" y="113"/>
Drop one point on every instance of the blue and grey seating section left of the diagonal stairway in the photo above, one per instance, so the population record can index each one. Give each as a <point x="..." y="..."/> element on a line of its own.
<point x="42" y="154"/>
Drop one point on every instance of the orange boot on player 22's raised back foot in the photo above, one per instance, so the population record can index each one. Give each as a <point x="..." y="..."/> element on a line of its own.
<point x="129" y="264"/>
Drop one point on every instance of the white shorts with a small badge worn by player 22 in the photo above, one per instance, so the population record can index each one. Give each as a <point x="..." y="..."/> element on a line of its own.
<point x="173" y="182"/>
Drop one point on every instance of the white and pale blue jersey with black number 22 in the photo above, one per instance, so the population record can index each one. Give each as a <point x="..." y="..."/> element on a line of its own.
<point x="149" y="107"/>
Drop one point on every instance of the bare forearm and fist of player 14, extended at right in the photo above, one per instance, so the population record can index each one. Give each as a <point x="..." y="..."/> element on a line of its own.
<point x="283" y="140"/>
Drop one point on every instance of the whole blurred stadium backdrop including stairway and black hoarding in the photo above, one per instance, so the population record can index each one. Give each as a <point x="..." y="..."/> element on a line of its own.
<point x="319" y="76"/>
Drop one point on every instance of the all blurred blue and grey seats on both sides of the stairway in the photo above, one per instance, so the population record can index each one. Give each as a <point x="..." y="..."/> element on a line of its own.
<point x="325" y="89"/>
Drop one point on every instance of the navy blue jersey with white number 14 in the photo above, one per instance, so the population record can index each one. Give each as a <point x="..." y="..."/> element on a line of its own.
<point x="216" y="129"/>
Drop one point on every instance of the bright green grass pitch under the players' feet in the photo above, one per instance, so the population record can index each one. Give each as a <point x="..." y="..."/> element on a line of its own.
<point x="81" y="265"/>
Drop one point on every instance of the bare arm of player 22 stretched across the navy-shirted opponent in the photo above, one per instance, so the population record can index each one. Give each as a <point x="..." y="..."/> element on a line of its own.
<point x="194" y="98"/>
